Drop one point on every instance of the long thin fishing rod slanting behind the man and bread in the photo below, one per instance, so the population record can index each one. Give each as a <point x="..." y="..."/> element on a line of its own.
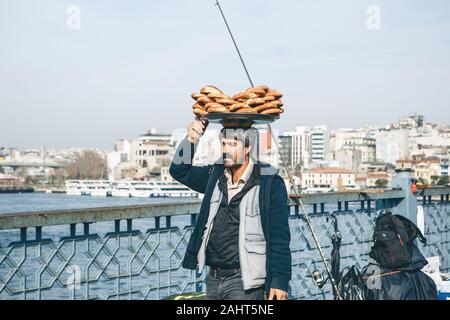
<point x="297" y="199"/>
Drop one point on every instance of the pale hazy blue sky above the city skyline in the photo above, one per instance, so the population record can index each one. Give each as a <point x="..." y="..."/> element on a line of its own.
<point x="133" y="64"/>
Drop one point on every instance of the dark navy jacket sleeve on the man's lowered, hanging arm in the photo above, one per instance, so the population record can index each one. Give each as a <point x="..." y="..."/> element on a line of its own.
<point x="280" y="267"/>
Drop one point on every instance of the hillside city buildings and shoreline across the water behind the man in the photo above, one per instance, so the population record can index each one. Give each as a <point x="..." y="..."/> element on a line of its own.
<point x="318" y="158"/>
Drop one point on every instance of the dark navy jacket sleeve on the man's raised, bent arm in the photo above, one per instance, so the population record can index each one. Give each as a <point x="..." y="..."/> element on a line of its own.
<point x="182" y="170"/>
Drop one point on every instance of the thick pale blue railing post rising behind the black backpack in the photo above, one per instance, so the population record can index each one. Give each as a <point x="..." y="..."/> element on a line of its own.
<point x="408" y="205"/>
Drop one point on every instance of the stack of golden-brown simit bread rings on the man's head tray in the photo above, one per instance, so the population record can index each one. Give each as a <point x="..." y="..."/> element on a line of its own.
<point x="260" y="99"/>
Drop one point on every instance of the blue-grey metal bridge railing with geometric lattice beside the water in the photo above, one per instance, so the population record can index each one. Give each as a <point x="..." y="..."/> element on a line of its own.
<point x="135" y="252"/>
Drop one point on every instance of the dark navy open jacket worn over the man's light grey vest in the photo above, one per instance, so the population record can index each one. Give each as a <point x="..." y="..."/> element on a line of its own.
<point x="273" y="199"/>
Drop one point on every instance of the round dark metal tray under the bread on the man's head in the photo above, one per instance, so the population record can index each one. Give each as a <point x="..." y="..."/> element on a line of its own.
<point x="240" y="120"/>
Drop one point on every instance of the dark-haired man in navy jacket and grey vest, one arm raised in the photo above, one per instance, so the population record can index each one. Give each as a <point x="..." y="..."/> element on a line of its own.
<point x="242" y="230"/>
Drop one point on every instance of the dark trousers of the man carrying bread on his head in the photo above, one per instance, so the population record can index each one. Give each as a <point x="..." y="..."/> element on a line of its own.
<point x="230" y="287"/>
